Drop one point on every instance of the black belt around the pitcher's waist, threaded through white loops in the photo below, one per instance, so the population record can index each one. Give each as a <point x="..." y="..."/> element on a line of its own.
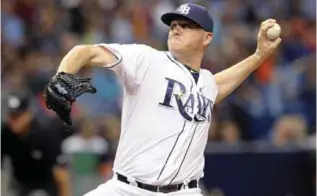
<point x="163" y="189"/>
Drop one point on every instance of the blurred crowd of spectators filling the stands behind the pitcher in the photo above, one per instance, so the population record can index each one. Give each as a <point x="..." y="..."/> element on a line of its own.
<point x="277" y="102"/>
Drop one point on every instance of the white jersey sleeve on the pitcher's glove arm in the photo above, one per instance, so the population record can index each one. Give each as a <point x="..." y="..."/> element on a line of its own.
<point x="133" y="61"/>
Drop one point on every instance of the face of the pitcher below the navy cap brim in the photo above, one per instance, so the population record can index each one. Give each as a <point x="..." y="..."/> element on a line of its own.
<point x="186" y="36"/>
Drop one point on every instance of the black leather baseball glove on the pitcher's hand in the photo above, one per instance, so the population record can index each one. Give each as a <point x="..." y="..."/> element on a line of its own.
<point x="62" y="91"/>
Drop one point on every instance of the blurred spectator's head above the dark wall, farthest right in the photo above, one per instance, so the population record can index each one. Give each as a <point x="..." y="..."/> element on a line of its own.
<point x="289" y="129"/>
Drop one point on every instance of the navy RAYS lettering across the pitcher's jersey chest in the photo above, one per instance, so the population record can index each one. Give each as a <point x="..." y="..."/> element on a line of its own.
<point x="186" y="105"/>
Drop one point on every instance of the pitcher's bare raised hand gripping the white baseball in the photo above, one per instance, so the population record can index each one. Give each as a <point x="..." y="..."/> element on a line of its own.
<point x="265" y="46"/>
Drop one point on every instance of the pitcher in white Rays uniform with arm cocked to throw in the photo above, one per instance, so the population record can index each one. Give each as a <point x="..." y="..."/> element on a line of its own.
<point x="167" y="102"/>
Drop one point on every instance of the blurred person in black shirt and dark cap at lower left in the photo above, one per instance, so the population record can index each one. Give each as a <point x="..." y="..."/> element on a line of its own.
<point x="34" y="150"/>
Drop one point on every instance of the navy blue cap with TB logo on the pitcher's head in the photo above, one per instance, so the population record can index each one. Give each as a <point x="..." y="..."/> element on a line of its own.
<point x="194" y="12"/>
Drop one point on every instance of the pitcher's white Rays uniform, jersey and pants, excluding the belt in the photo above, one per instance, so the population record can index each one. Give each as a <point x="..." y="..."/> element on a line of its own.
<point x="165" y="119"/>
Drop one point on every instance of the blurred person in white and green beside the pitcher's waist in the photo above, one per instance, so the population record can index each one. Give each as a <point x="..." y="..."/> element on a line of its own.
<point x="90" y="161"/>
